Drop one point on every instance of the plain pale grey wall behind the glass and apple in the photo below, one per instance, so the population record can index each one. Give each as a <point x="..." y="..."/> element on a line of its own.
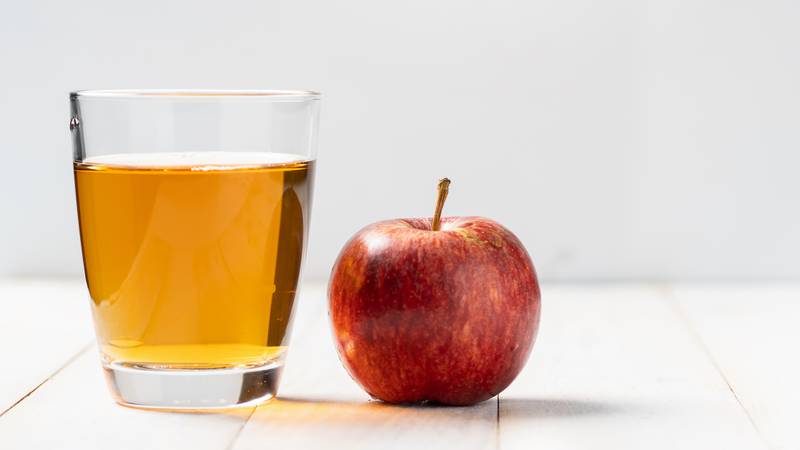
<point x="620" y="139"/>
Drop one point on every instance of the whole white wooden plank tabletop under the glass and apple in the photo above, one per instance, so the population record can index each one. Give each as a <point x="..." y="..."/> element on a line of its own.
<point x="615" y="366"/>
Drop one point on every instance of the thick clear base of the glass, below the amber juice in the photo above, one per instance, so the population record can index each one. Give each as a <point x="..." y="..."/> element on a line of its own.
<point x="192" y="389"/>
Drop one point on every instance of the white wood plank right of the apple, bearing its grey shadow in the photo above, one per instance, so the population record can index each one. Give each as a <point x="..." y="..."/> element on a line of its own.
<point x="616" y="367"/>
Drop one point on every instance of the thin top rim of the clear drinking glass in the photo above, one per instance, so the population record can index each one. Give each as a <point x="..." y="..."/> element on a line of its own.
<point x="207" y="94"/>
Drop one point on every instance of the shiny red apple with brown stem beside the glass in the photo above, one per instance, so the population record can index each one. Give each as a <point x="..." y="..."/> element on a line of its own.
<point x="442" y="310"/>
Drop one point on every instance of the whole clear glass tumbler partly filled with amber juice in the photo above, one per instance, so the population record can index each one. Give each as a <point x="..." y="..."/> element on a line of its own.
<point x="194" y="210"/>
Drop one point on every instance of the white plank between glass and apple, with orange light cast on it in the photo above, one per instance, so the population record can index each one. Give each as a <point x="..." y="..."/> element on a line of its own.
<point x="319" y="406"/>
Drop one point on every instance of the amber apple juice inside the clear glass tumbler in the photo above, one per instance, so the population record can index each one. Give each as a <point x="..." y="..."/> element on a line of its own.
<point x="193" y="261"/>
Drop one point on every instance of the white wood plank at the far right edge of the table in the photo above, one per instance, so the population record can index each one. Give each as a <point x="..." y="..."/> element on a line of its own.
<point x="753" y="333"/>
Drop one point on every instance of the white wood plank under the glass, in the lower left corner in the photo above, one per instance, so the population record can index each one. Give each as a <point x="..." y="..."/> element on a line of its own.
<point x="74" y="410"/>
